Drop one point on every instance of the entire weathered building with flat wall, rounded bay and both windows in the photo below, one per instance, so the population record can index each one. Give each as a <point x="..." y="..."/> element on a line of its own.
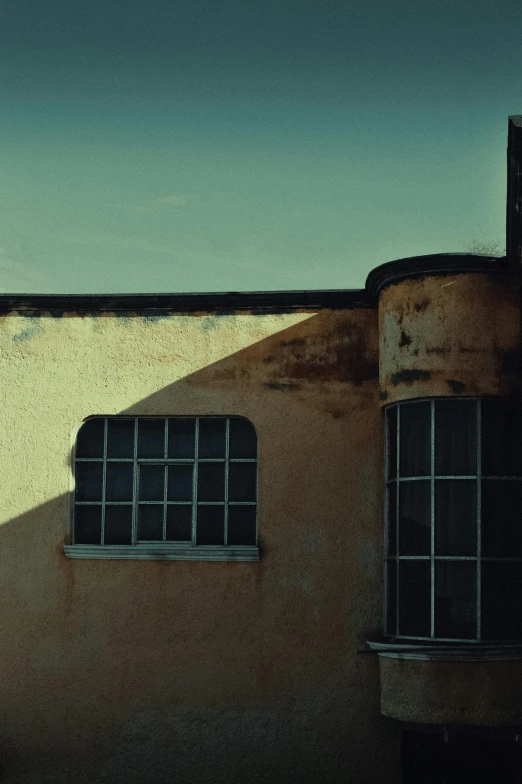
<point x="265" y="537"/>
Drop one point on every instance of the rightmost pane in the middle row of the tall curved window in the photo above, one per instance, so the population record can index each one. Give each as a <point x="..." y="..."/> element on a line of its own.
<point x="501" y="518"/>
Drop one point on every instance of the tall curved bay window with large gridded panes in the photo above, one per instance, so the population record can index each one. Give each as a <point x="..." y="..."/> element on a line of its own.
<point x="454" y="520"/>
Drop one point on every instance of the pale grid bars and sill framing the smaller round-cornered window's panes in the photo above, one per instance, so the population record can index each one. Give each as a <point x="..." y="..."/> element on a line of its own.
<point x="224" y="548"/>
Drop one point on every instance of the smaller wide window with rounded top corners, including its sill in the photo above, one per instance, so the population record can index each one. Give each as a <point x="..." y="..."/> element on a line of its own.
<point x="161" y="487"/>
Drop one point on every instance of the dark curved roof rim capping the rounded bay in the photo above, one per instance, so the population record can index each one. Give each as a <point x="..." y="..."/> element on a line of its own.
<point x="435" y="264"/>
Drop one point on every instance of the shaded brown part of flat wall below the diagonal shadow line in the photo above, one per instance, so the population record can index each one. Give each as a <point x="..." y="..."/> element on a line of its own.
<point x="99" y="655"/>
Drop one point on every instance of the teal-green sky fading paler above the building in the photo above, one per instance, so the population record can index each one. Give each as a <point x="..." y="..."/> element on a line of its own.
<point x="247" y="145"/>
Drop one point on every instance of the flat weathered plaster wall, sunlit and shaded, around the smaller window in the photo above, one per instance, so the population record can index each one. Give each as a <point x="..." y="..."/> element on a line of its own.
<point x="141" y="671"/>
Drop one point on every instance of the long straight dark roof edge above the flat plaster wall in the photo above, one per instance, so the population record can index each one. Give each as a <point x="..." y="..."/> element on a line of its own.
<point x="220" y="302"/>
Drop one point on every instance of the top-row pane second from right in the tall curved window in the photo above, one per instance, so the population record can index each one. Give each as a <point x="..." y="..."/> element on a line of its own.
<point x="455" y="437"/>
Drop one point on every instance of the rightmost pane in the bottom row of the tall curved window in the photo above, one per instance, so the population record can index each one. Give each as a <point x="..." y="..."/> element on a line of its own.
<point x="501" y="601"/>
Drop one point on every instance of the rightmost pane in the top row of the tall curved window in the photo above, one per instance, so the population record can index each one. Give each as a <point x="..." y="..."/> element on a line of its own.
<point x="501" y="438"/>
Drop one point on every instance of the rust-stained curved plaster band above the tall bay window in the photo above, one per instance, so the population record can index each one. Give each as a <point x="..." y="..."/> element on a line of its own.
<point x="450" y="335"/>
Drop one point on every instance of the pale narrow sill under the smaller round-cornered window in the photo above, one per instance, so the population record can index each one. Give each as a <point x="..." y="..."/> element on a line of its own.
<point x="163" y="552"/>
